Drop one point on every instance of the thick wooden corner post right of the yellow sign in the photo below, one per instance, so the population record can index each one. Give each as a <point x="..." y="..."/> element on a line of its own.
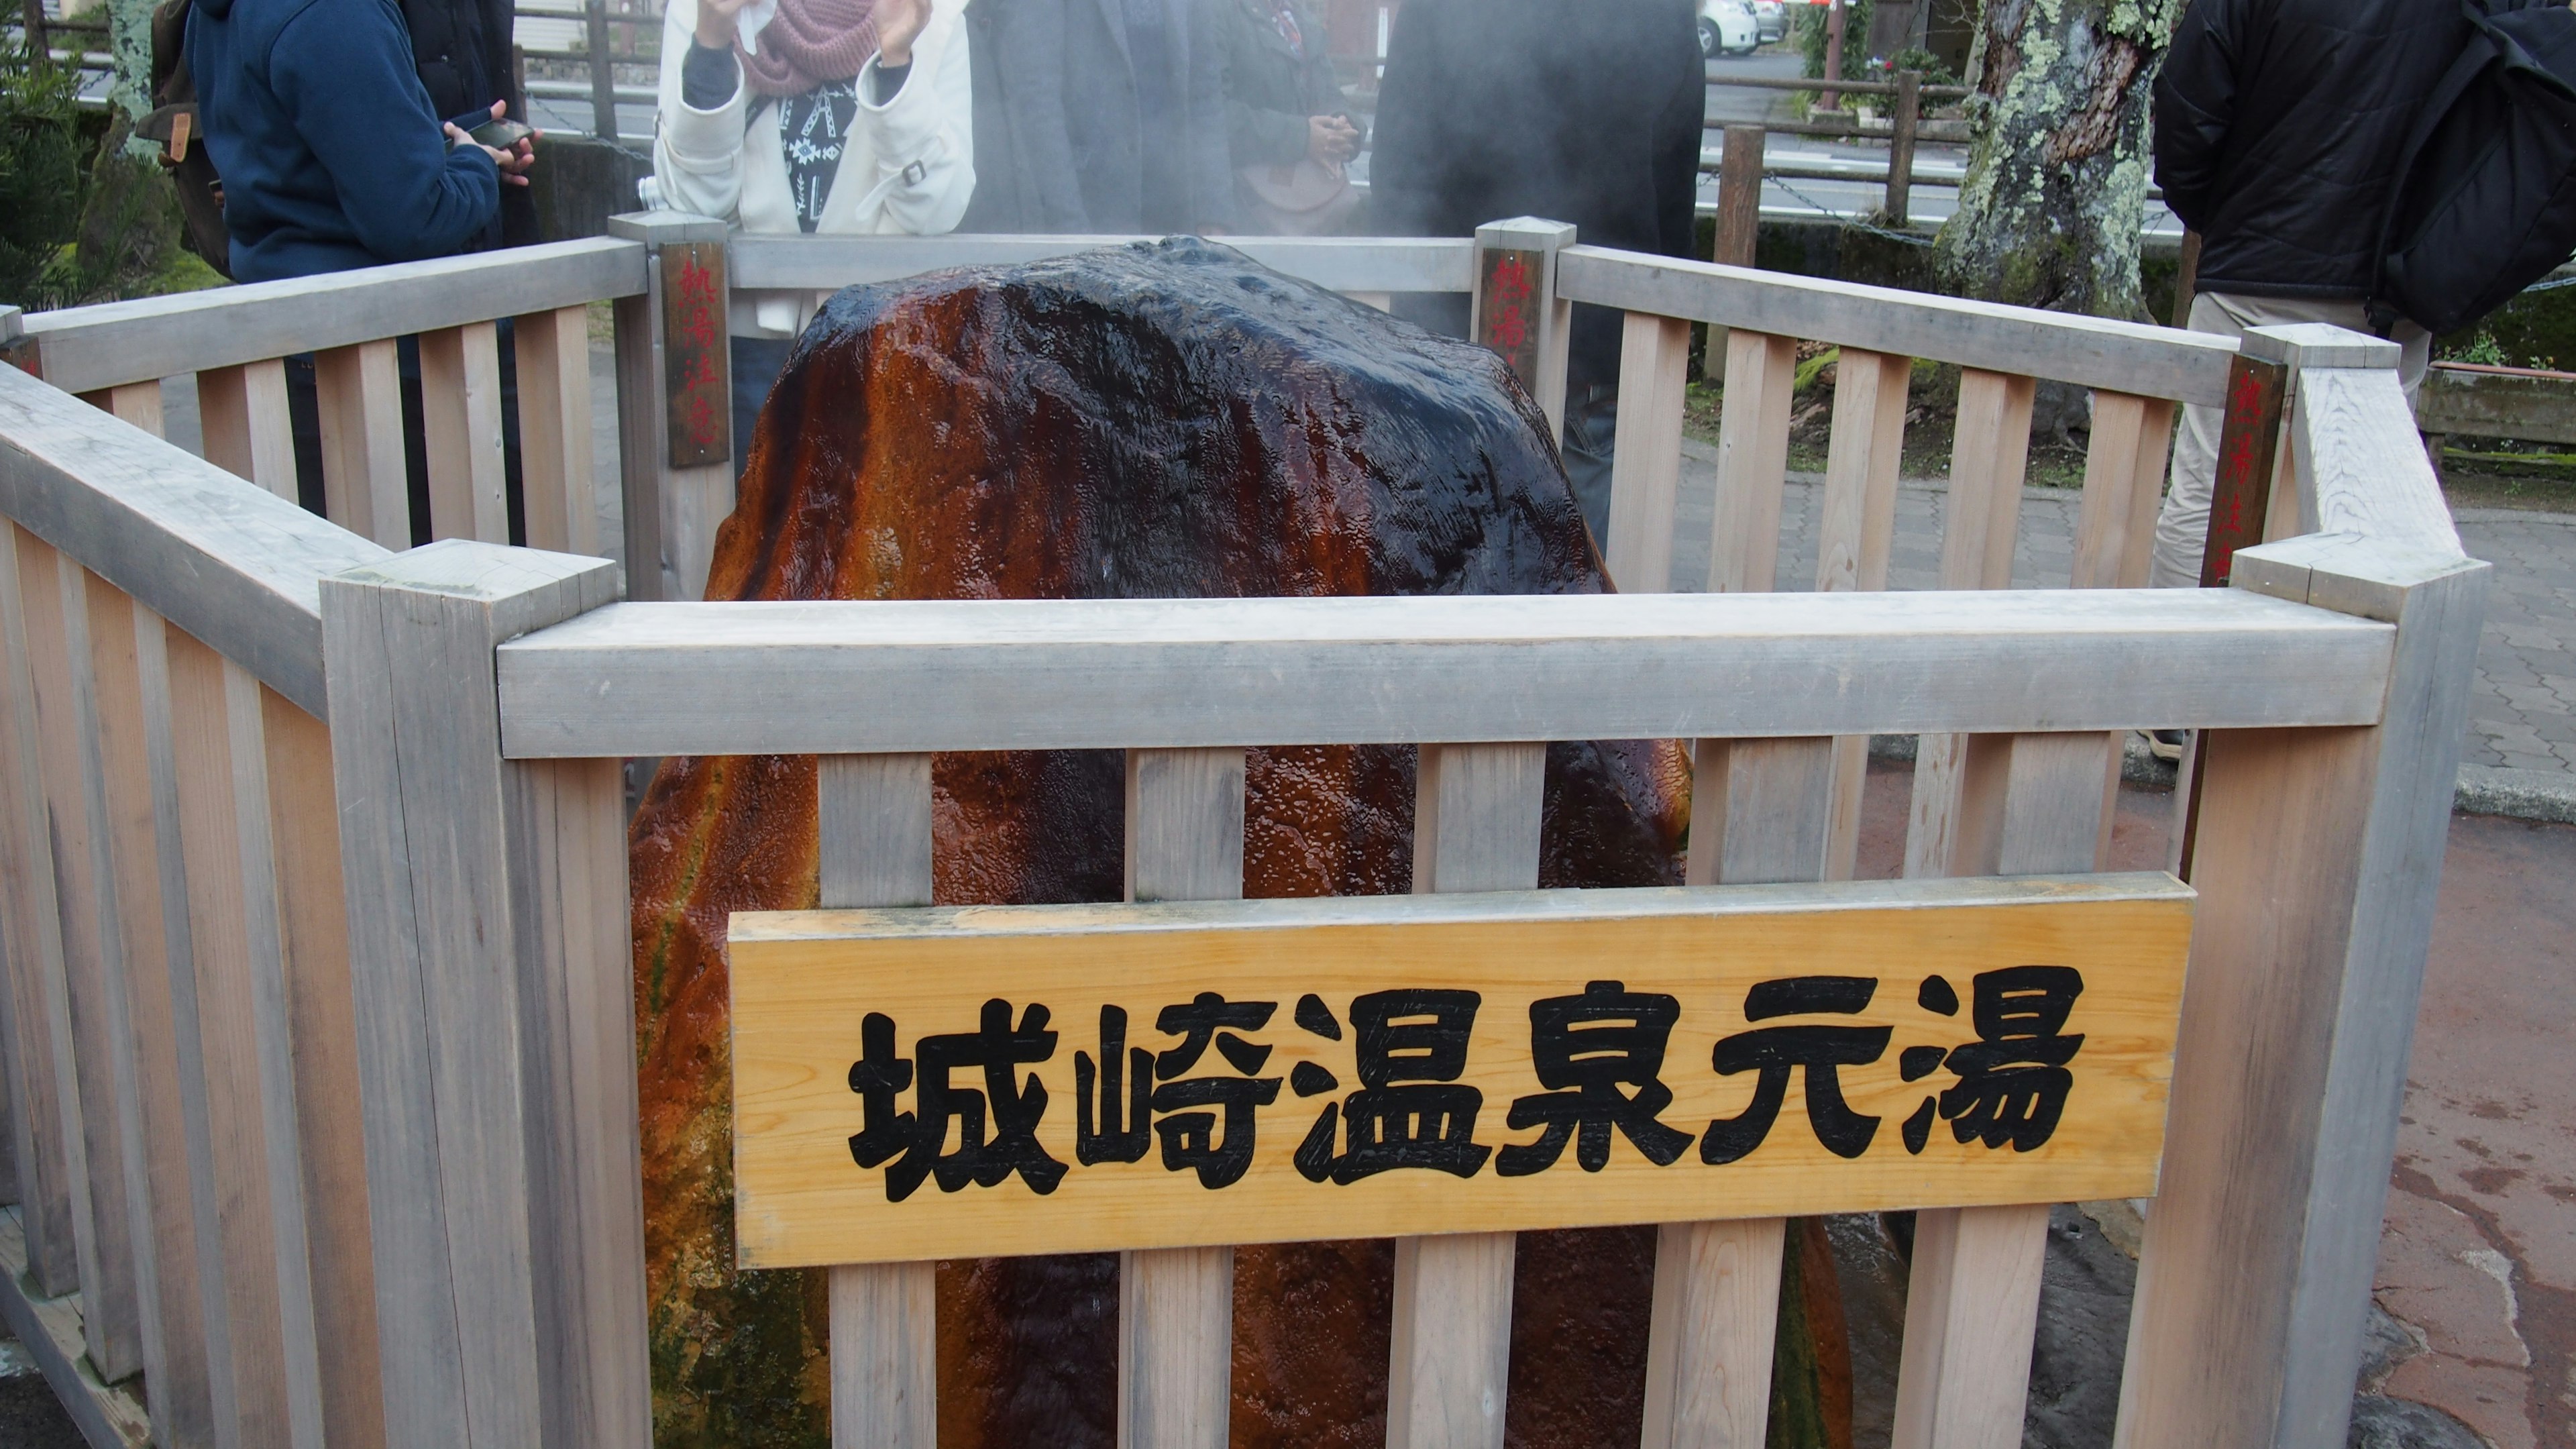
<point x="2320" y="857"/>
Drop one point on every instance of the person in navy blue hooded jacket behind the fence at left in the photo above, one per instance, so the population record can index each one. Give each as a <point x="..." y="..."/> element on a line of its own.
<point x="328" y="146"/>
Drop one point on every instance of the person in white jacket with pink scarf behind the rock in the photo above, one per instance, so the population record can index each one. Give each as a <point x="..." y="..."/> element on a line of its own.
<point x="838" y="117"/>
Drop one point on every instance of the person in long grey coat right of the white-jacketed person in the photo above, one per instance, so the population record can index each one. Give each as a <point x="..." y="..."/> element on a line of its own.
<point x="1099" y="117"/>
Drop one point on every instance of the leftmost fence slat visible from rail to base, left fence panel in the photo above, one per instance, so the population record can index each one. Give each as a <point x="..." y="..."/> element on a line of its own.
<point x="58" y="636"/>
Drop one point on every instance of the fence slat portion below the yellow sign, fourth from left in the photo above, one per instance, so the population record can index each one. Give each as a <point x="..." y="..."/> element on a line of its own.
<point x="1709" y="1347"/>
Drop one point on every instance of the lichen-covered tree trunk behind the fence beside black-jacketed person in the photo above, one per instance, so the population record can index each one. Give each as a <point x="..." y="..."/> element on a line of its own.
<point x="2060" y="169"/>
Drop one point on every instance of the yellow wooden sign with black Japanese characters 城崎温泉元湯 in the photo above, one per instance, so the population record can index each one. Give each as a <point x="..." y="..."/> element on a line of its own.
<point x="1063" y="1079"/>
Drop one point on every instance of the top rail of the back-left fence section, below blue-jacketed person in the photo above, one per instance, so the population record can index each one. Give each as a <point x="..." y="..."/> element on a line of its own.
<point x="164" y="336"/>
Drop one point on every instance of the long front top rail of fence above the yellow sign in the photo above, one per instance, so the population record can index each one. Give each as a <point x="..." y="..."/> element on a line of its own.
<point x="692" y="679"/>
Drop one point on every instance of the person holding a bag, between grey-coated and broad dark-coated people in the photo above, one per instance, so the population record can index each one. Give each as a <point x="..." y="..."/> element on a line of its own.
<point x="1284" y="107"/>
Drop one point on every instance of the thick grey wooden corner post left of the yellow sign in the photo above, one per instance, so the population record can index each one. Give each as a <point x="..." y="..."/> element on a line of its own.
<point x="488" y="966"/>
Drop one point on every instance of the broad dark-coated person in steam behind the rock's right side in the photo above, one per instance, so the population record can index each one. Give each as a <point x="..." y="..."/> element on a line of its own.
<point x="1567" y="110"/>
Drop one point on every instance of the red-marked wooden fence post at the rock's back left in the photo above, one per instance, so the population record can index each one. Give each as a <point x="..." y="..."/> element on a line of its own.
<point x="676" y="404"/>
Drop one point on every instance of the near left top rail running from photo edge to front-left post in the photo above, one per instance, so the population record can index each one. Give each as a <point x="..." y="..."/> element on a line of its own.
<point x="220" y="558"/>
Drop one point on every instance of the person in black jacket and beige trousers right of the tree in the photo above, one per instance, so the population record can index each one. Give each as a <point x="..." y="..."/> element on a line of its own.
<point x="2278" y="135"/>
